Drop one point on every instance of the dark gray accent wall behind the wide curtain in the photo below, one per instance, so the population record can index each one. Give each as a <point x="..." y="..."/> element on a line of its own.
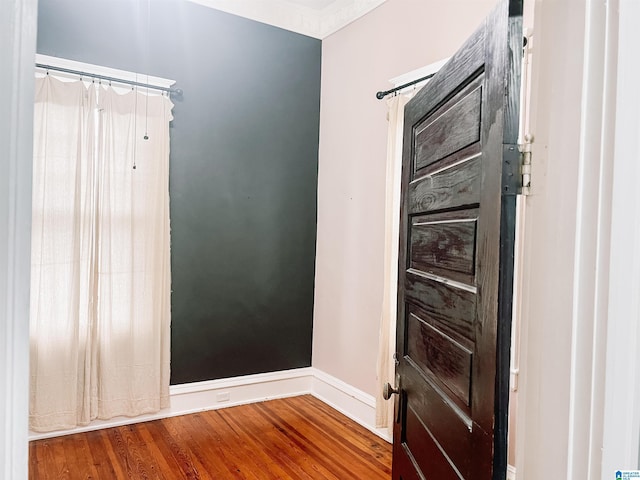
<point x="244" y="152"/>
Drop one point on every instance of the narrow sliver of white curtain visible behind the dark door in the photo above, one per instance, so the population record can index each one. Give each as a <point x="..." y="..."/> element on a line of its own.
<point x="387" y="343"/>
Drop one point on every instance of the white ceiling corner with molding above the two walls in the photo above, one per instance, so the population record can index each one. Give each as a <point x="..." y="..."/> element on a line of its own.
<point x="315" y="18"/>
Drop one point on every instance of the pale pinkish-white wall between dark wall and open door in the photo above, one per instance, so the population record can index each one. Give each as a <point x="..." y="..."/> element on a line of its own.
<point x="357" y="61"/>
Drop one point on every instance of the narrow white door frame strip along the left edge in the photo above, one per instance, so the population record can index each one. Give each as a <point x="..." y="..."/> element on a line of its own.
<point x="18" y="25"/>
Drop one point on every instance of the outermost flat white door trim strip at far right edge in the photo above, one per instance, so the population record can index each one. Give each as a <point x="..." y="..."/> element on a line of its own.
<point x="621" y="431"/>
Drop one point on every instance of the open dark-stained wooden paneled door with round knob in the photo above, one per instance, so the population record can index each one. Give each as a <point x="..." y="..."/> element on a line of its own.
<point x="460" y="179"/>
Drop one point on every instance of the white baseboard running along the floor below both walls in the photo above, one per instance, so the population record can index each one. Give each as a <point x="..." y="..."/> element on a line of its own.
<point x="229" y="392"/>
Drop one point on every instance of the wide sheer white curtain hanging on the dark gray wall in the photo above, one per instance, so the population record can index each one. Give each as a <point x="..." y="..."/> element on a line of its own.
<point x="100" y="288"/>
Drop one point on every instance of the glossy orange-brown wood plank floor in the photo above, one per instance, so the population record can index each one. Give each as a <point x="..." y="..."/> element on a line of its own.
<point x="295" y="438"/>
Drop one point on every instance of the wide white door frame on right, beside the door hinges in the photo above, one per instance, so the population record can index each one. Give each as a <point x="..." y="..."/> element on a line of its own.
<point x="579" y="401"/>
